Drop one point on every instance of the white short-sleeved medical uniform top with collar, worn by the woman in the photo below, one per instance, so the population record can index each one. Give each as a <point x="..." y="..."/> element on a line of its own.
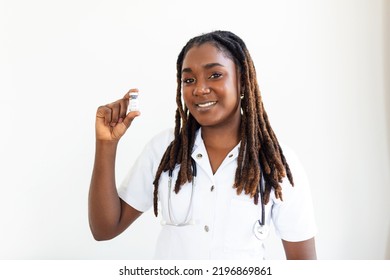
<point x="222" y="220"/>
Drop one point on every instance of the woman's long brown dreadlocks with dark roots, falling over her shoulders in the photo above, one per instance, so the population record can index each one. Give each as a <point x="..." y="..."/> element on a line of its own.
<point x="260" y="153"/>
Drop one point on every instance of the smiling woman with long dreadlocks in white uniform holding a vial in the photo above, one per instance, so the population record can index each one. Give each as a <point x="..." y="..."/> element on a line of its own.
<point x="219" y="179"/>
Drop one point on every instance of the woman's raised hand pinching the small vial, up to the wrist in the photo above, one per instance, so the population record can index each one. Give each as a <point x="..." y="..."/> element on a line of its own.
<point x="112" y="120"/>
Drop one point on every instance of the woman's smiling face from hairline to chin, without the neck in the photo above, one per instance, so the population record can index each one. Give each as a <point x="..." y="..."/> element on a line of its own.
<point x="210" y="86"/>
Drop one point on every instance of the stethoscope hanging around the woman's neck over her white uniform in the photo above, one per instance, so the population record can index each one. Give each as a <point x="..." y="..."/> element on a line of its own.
<point x="260" y="229"/>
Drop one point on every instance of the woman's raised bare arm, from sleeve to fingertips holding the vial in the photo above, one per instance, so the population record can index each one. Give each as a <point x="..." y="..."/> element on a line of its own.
<point x="108" y="214"/>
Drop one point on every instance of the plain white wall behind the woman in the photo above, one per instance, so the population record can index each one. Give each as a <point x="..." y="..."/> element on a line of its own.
<point x="323" y="68"/>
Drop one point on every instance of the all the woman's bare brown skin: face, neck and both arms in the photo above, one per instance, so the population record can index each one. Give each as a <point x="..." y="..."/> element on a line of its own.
<point x="211" y="93"/>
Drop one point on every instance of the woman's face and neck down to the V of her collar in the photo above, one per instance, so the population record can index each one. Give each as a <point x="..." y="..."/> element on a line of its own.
<point x="210" y="80"/>
